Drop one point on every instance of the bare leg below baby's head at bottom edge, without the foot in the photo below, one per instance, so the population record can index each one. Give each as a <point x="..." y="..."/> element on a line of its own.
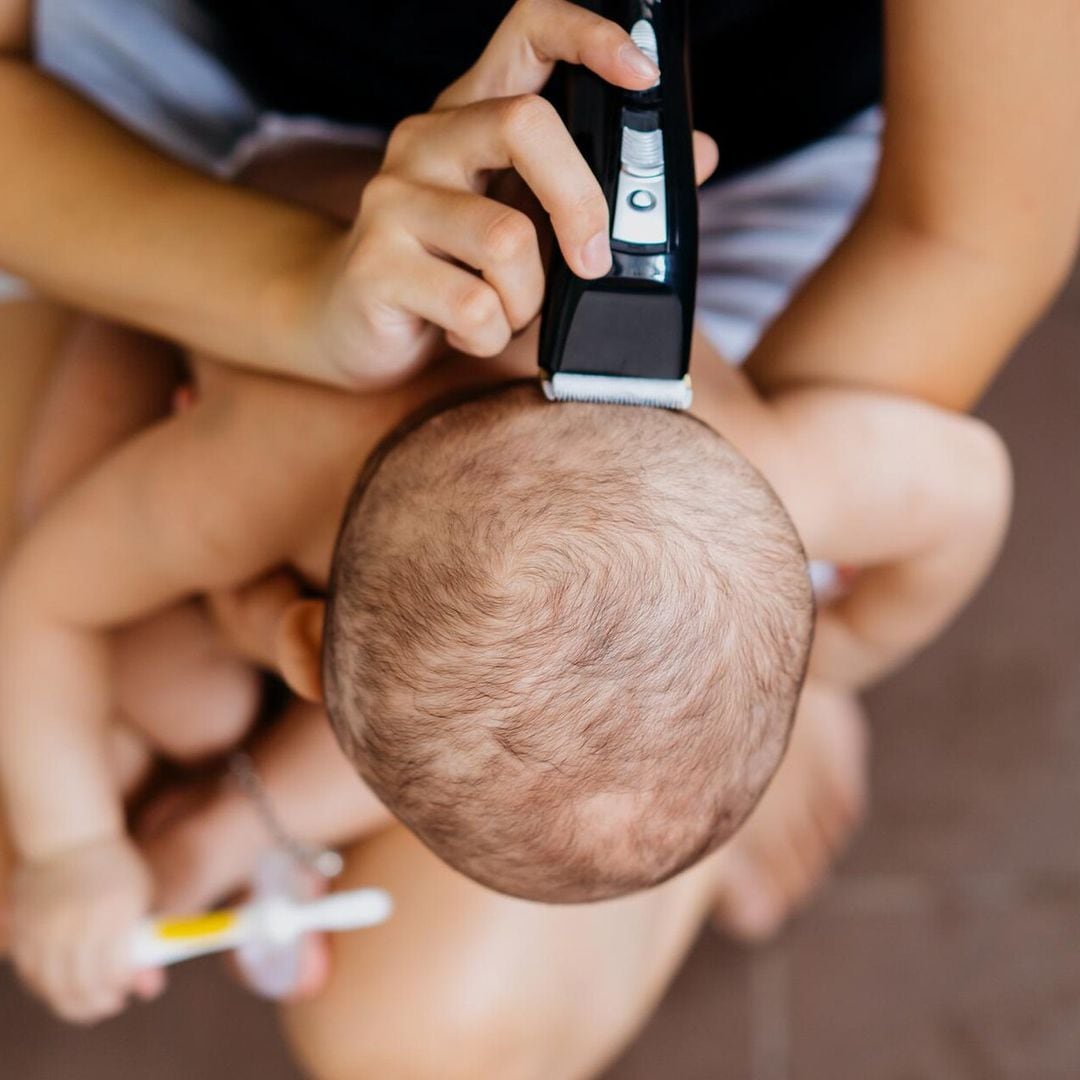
<point x="464" y="982"/>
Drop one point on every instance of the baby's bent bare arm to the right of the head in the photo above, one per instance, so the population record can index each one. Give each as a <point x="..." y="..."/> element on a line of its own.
<point x="915" y="498"/>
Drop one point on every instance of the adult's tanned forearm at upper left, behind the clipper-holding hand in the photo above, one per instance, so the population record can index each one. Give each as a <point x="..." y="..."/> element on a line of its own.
<point x="100" y="220"/>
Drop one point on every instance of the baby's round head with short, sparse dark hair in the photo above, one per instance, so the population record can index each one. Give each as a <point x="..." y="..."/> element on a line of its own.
<point x="564" y="643"/>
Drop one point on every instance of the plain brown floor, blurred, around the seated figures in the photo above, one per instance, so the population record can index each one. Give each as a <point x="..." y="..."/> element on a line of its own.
<point x="949" y="946"/>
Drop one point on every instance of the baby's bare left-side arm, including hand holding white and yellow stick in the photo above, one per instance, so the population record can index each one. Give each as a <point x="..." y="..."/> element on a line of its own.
<point x="141" y="532"/>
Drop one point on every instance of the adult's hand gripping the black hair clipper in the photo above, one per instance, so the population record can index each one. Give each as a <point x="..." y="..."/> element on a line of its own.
<point x="431" y="252"/>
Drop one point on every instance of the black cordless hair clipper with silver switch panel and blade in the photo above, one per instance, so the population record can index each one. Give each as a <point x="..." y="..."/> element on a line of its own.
<point x="626" y="339"/>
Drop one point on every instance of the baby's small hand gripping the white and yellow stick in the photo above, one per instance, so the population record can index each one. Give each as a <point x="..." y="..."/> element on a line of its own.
<point x="73" y="916"/>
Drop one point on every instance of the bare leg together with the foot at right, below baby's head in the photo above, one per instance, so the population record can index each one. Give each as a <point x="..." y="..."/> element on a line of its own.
<point x="464" y="982"/>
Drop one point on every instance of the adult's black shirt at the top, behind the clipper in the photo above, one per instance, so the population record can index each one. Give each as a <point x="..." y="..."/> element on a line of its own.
<point x="768" y="76"/>
